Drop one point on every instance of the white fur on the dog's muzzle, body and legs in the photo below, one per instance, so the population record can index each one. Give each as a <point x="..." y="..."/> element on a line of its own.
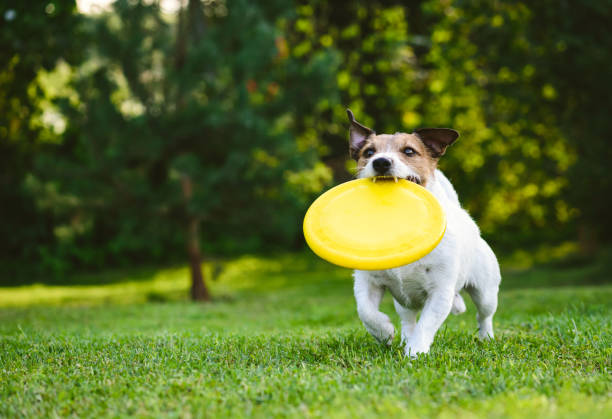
<point x="462" y="260"/>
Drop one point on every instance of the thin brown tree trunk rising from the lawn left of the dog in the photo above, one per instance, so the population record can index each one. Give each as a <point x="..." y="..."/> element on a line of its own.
<point x="199" y="292"/>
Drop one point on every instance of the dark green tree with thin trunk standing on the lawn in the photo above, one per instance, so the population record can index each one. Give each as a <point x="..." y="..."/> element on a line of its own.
<point x="186" y="124"/>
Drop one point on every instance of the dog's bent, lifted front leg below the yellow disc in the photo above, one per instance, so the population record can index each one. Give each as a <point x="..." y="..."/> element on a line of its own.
<point x="368" y="294"/>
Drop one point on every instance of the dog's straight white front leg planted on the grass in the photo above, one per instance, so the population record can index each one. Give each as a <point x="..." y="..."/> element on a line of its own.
<point x="437" y="308"/>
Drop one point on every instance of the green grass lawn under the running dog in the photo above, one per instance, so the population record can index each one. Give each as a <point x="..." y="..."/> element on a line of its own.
<point x="283" y="339"/>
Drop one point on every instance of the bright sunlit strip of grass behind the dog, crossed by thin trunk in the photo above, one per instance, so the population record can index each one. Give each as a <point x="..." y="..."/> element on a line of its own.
<point x="224" y="278"/>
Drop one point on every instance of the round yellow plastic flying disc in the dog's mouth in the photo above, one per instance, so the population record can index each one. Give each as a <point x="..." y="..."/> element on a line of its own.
<point x="369" y="225"/>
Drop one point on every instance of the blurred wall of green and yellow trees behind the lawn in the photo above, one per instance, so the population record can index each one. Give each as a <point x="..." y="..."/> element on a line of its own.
<point x="137" y="135"/>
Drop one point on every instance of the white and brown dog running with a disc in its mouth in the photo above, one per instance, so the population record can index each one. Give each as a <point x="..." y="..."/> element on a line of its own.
<point x="461" y="261"/>
